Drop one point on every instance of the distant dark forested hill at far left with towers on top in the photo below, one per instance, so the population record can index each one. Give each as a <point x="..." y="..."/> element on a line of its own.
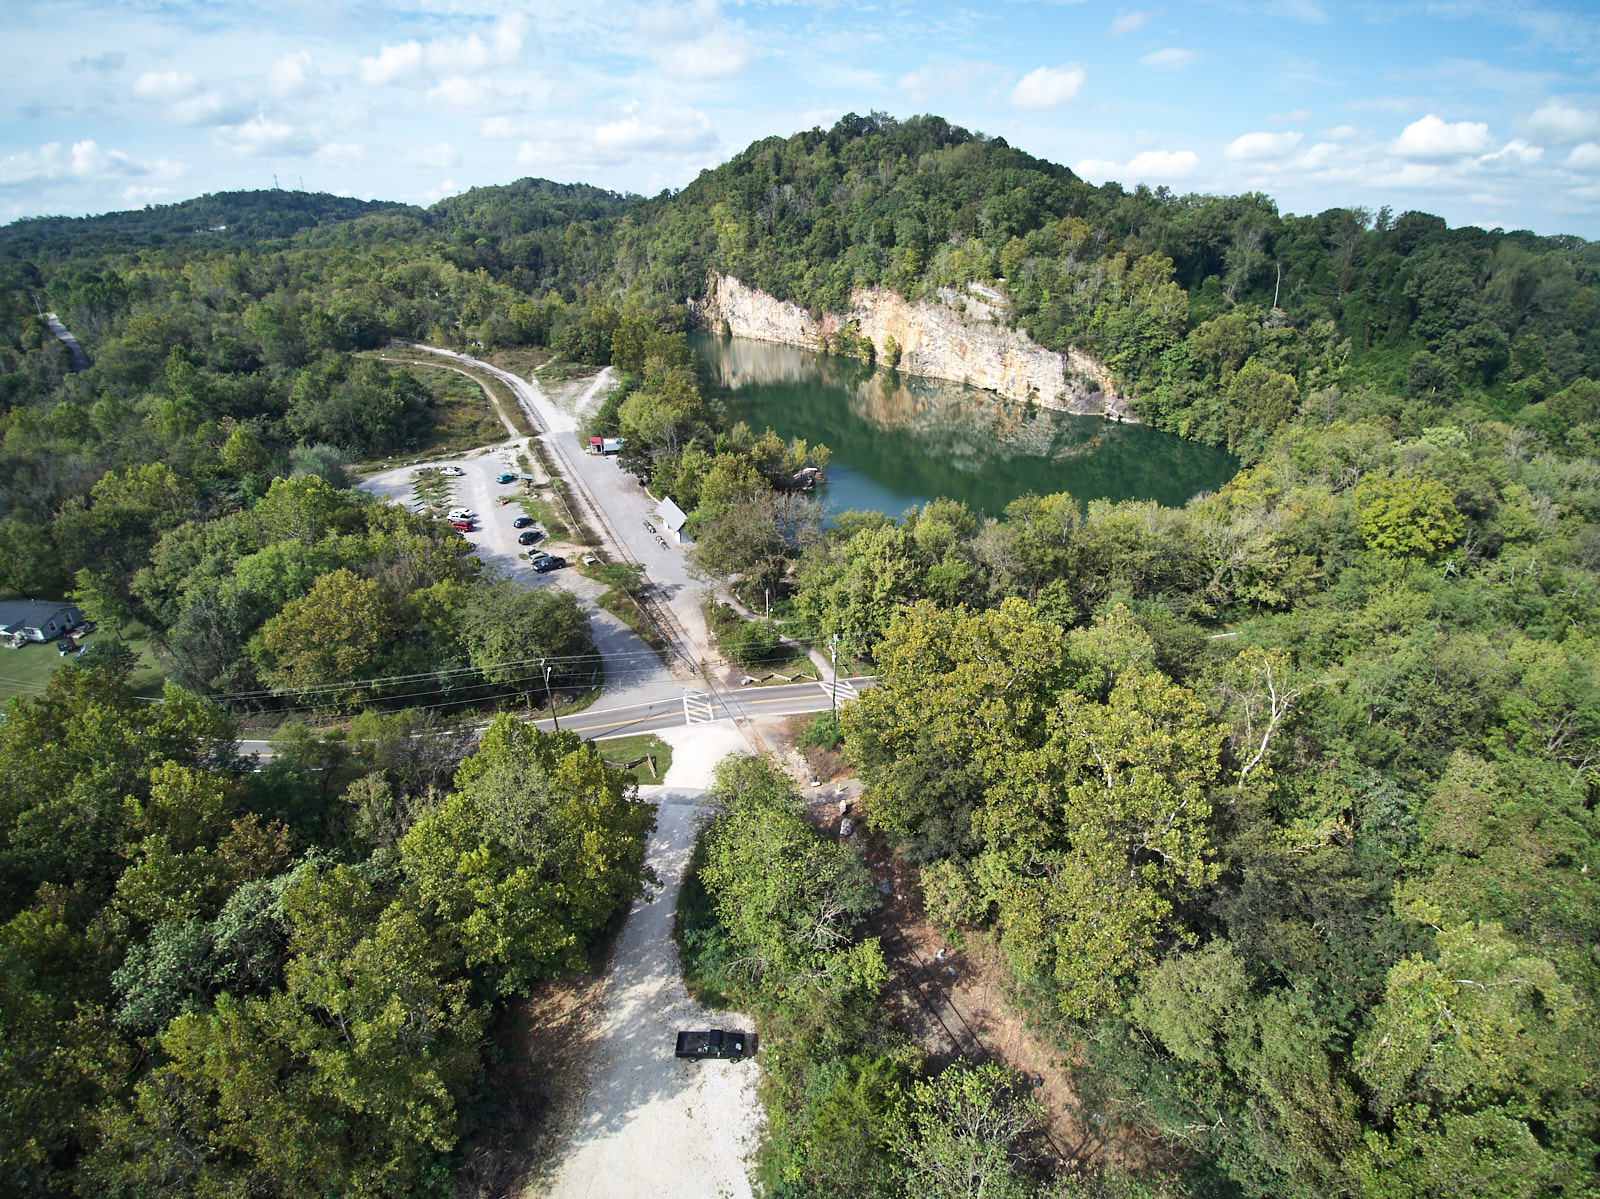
<point x="223" y="219"/>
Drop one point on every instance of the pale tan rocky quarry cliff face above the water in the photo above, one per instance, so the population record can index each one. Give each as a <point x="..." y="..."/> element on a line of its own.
<point x="961" y="339"/>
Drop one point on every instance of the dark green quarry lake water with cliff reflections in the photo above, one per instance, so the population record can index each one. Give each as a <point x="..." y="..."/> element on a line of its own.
<point x="900" y="441"/>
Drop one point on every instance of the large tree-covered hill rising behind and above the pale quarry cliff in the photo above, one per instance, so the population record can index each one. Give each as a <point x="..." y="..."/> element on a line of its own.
<point x="1220" y="315"/>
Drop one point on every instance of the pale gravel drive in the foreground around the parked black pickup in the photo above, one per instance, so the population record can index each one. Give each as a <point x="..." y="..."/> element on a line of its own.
<point x="650" y="1126"/>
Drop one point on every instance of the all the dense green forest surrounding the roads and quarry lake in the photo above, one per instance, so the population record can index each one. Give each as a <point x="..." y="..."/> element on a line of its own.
<point x="1281" y="804"/>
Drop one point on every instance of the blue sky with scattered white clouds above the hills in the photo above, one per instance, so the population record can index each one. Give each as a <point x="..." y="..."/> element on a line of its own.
<point x="1482" y="113"/>
